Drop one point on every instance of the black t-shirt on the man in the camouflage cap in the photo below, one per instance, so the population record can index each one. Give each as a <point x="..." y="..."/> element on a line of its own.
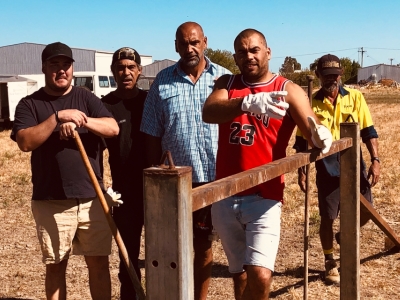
<point x="126" y="151"/>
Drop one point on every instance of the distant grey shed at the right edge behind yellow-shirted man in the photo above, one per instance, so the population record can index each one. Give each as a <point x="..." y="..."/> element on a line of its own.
<point x="378" y="72"/>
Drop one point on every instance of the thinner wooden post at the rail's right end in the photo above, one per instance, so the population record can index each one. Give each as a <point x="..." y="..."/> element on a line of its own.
<point x="350" y="214"/>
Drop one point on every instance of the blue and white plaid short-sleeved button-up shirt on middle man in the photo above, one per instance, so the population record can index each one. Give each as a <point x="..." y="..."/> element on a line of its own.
<point x="173" y="111"/>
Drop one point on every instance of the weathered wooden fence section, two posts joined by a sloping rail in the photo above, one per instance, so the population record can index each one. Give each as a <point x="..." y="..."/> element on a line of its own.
<point x="169" y="202"/>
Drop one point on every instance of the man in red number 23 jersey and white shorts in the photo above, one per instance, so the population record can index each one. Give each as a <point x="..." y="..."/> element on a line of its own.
<point x="256" y="112"/>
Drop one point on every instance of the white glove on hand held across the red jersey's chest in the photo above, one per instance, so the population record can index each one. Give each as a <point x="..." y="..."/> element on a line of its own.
<point x="266" y="104"/>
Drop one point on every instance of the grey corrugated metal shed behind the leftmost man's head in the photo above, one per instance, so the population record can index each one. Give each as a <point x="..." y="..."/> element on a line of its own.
<point x="25" y="58"/>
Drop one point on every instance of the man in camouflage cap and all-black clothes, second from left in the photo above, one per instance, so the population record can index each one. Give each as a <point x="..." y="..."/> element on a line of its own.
<point x="127" y="156"/>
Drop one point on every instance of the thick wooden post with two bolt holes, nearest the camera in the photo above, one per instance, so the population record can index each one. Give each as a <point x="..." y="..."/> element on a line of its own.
<point x="168" y="233"/>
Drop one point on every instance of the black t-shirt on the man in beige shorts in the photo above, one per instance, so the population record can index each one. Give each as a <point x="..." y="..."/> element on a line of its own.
<point x="58" y="171"/>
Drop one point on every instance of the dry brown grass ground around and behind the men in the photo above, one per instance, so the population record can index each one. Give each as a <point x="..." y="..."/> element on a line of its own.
<point x="22" y="273"/>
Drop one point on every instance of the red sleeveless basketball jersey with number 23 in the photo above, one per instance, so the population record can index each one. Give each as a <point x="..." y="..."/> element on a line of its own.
<point x="249" y="140"/>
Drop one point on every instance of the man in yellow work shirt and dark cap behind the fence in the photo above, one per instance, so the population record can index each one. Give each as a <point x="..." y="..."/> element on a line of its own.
<point x="334" y="104"/>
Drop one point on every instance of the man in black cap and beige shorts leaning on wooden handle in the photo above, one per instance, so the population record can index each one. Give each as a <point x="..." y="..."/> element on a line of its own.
<point x="69" y="218"/>
